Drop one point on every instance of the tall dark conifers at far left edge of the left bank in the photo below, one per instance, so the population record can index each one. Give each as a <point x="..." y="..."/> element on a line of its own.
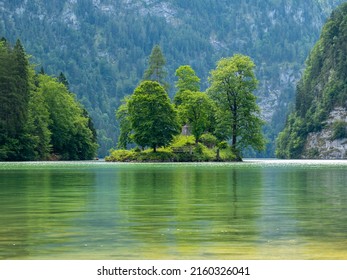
<point x="14" y="99"/>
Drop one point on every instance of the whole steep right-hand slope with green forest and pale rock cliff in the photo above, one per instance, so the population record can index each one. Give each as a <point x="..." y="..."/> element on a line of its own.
<point x="318" y="126"/>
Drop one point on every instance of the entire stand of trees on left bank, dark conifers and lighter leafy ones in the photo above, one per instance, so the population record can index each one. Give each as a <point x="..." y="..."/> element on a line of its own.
<point x="39" y="118"/>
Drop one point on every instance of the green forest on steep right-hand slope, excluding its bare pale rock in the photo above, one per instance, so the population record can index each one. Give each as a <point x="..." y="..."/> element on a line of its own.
<point x="322" y="88"/>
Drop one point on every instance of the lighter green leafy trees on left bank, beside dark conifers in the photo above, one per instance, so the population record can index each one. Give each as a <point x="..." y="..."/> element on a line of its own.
<point x="71" y="137"/>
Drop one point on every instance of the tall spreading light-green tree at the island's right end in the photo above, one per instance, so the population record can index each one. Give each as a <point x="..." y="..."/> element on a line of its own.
<point x="232" y="85"/>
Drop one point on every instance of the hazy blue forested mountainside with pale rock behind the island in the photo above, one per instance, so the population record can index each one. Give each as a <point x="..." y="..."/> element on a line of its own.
<point x="102" y="45"/>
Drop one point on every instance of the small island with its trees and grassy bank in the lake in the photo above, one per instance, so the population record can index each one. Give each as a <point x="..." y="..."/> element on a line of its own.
<point x="216" y="125"/>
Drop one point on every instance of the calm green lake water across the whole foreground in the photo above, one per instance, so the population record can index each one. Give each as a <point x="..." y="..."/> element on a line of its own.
<point x="257" y="209"/>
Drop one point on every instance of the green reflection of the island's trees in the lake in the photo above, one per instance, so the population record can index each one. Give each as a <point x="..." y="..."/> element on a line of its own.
<point x="190" y="204"/>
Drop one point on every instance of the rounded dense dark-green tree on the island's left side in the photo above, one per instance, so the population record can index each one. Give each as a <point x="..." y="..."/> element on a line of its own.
<point x="152" y="117"/>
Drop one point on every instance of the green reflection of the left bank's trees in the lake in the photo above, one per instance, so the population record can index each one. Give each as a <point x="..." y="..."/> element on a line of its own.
<point x="38" y="207"/>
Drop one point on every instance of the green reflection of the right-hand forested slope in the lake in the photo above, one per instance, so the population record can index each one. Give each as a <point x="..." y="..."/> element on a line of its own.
<point x="320" y="198"/>
